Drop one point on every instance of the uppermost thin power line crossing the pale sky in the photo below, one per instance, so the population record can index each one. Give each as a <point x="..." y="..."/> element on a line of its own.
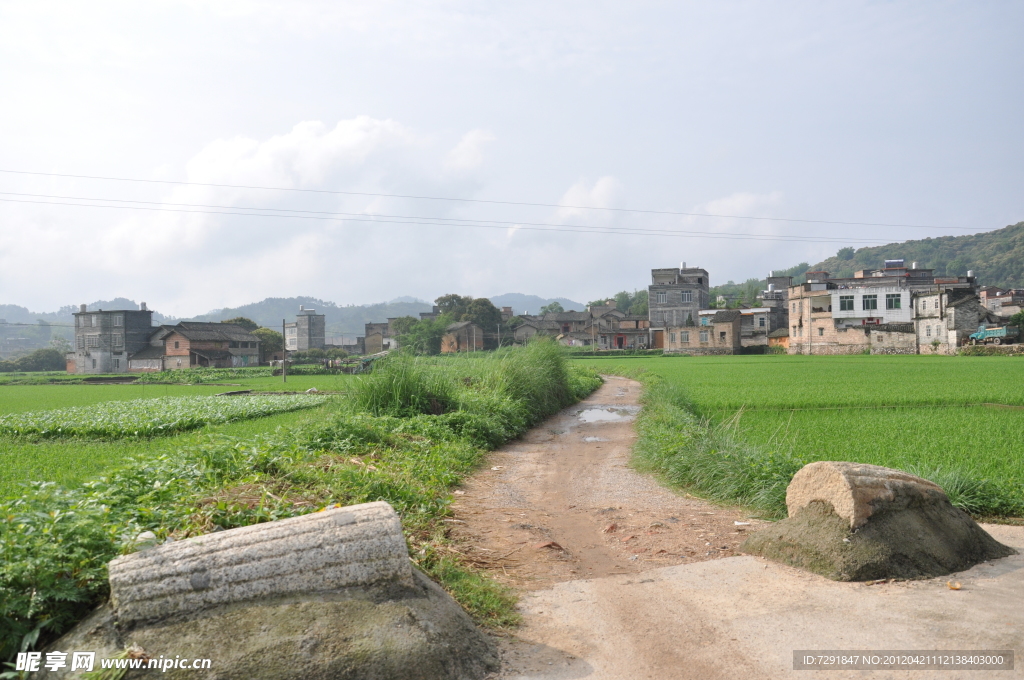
<point x="483" y="201"/>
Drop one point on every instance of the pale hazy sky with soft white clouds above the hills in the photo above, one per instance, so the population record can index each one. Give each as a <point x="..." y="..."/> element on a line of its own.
<point x="361" y="152"/>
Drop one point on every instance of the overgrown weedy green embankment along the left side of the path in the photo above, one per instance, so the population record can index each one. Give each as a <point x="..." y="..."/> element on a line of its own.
<point x="407" y="434"/>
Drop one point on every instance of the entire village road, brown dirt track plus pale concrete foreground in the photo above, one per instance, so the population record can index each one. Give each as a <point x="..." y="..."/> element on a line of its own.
<point x="624" y="579"/>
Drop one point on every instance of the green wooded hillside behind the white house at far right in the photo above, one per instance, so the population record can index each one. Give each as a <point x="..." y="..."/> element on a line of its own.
<point x="997" y="258"/>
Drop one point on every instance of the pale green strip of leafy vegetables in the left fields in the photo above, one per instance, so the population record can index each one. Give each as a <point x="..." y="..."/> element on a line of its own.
<point x="150" y="417"/>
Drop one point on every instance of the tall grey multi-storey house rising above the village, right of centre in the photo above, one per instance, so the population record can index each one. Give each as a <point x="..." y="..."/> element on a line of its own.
<point x="674" y="300"/>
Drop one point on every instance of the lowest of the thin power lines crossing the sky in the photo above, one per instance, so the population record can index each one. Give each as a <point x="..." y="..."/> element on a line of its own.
<point x="563" y="229"/>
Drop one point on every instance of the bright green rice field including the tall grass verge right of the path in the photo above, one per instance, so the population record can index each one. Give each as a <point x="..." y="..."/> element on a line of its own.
<point x="736" y="430"/>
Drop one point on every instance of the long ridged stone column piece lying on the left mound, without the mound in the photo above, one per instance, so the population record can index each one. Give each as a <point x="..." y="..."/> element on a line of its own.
<point x="360" y="545"/>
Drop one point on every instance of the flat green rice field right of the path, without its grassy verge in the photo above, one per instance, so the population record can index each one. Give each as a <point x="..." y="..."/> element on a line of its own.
<point x="957" y="420"/>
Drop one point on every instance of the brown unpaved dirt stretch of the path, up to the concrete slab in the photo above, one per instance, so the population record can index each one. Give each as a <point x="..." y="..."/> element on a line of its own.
<point x="563" y="504"/>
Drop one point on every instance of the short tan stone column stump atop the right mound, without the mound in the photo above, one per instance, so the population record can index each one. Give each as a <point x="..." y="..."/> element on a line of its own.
<point x="857" y="491"/>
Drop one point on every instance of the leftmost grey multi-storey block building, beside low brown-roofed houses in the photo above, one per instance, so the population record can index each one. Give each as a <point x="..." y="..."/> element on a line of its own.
<point x="106" y="341"/>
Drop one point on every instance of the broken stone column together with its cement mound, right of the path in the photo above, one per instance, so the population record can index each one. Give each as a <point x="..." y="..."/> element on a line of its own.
<point x="861" y="523"/>
